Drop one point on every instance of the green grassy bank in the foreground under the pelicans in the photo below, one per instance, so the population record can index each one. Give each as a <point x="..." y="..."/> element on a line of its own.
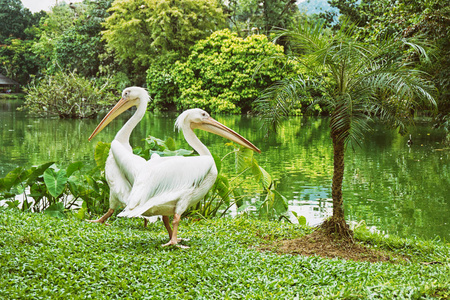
<point x="47" y="258"/>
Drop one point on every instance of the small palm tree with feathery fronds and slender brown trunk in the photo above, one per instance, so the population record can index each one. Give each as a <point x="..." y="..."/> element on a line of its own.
<point x="357" y="82"/>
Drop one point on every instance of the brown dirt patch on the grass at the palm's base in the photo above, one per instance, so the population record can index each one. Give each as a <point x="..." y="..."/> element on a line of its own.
<point x="326" y="245"/>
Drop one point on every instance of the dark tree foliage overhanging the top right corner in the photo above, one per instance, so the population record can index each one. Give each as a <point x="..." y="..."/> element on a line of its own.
<point x="428" y="20"/>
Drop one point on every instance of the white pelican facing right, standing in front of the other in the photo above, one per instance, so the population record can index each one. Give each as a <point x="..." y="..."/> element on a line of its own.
<point x="168" y="186"/>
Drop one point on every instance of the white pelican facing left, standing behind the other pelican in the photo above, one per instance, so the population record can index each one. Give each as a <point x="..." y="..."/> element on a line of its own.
<point x="120" y="178"/>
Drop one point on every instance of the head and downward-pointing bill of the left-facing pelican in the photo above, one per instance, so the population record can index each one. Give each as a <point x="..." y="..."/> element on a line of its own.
<point x="131" y="96"/>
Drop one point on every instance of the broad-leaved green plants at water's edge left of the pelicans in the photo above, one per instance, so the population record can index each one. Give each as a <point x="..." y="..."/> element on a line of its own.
<point x="47" y="188"/>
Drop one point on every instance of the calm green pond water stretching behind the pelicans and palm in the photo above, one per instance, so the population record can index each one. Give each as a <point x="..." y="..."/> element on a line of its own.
<point x="395" y="188"/>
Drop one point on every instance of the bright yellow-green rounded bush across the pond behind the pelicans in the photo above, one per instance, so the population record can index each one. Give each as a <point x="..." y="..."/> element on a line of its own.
<point x="219" y="73"/>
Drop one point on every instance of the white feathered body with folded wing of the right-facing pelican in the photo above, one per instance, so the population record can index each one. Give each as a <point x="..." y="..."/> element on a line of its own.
<point x="158" y="190"/>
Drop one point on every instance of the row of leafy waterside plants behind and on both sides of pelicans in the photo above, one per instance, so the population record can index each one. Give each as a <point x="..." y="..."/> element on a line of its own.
<point x="59" y="191"/>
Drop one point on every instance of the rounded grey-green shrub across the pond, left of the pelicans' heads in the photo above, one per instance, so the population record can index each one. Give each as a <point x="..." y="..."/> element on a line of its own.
<point x="67" y="95"/>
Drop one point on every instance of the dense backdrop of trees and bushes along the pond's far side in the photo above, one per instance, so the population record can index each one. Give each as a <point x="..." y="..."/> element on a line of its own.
<point x="146" y="41"/>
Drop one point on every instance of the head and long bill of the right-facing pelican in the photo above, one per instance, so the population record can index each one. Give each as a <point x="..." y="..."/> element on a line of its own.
<point x="197" y="118"/>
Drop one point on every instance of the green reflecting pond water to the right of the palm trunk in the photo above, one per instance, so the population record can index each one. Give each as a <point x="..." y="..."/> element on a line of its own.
<point x="403" y="189"/>
